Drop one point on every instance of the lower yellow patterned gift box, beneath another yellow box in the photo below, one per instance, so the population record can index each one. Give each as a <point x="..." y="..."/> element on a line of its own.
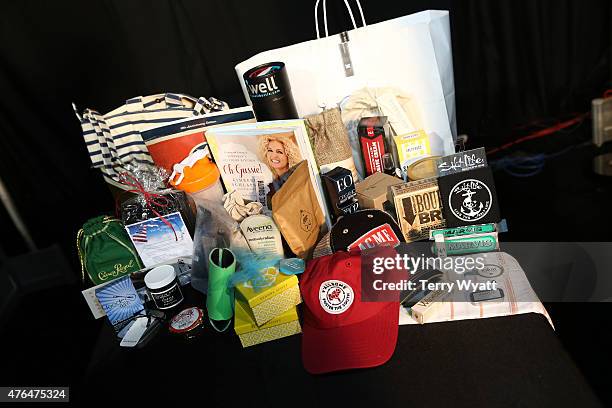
<point x="283" y="325"/>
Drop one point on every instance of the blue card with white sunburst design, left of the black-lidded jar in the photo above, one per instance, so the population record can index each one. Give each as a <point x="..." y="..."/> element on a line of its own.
<point x="119" y="300"/>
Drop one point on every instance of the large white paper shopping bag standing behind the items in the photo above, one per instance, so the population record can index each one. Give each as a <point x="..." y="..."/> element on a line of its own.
<point x="410" y="55"/>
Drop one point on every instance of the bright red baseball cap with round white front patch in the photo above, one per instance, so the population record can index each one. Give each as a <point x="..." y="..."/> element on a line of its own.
<point x="340" y="331"/>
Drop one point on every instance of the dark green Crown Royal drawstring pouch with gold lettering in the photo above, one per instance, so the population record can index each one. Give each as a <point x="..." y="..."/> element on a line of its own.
<point x="105" y="250"/>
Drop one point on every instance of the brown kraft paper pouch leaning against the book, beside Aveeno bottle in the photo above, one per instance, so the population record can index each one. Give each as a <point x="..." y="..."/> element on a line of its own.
<point x="297" y="213"/>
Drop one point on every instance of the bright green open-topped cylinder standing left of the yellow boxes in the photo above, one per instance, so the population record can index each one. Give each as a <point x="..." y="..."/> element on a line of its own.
<point x="220" y="297"/>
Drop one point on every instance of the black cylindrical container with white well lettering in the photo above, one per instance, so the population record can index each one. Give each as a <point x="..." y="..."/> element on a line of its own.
<point x="270" y="92"/>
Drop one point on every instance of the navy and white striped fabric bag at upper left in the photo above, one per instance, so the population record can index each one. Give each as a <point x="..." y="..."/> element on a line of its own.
<point x="114" y="140"/>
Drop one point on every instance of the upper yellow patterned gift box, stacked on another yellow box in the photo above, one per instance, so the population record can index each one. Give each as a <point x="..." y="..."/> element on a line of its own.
<point x="276" y="293"/>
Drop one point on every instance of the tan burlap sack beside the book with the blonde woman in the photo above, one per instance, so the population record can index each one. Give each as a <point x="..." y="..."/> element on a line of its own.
<point x="329" y="140"/>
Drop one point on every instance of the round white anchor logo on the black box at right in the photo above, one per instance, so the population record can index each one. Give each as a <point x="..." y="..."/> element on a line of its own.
<point x="470" y="200"/>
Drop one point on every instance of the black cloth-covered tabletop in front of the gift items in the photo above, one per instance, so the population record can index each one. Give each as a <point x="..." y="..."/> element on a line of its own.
<point x="514" y="361"/>
